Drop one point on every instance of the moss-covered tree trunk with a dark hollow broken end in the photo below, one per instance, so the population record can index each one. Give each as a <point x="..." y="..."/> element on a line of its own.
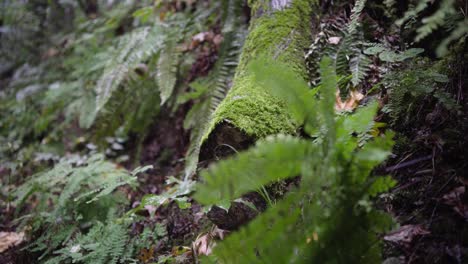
<point x="280" y="29"/>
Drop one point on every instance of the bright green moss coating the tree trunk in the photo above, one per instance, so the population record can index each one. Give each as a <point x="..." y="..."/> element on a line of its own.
<point x="282" y="35"/>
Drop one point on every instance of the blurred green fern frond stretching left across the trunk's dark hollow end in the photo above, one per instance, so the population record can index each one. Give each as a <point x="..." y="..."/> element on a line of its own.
<point x="276" y="158"/>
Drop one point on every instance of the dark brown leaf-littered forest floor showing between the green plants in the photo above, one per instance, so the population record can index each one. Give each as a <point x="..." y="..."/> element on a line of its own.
<point x="430" y="202"/>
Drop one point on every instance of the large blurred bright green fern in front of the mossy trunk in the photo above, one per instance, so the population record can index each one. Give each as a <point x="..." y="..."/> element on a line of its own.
<point x="329" y="217"/>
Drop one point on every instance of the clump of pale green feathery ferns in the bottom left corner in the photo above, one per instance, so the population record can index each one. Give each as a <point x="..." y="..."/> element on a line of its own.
<point x="82" y="192"/>
